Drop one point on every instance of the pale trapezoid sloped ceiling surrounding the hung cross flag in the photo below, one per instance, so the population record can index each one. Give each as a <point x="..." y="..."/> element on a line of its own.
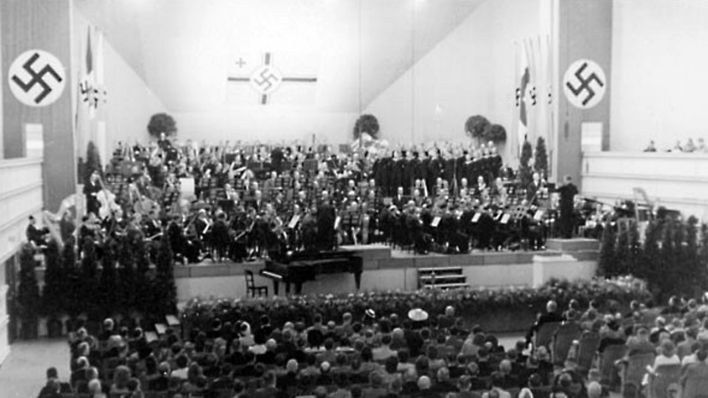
<point x="182" y="48"/>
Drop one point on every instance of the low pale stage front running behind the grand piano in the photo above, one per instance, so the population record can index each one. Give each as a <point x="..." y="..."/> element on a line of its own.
<point x="393" y="269"/>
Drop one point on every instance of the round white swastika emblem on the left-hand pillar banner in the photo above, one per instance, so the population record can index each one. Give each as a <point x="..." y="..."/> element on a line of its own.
<point x="36" y="78"/>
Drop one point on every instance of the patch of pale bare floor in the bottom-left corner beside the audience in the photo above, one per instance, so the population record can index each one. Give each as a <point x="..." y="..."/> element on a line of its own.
<point x="22" y="374"/>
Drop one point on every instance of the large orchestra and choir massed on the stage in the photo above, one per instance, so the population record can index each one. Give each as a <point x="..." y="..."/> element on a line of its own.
<point x="247" y="206"/>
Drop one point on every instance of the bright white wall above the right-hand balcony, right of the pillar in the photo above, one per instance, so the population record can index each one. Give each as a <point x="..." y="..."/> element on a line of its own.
<point x="659" y="64"/>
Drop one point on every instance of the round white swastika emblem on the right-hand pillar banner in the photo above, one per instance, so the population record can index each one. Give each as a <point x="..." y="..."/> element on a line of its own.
<point x="584" y="84"/>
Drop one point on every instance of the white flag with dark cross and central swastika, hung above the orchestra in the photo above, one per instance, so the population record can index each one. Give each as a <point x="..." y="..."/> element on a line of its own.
<point x="272" y="78"/>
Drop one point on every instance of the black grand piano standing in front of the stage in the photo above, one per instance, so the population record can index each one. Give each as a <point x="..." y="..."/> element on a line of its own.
<point x="299" y="267"/>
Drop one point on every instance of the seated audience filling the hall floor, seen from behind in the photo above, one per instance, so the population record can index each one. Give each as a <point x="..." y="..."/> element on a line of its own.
<point x="254" y="357"/>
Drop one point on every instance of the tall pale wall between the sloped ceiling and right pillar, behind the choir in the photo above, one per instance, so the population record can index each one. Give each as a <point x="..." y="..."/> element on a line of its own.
<point x="471" y="71"/>
